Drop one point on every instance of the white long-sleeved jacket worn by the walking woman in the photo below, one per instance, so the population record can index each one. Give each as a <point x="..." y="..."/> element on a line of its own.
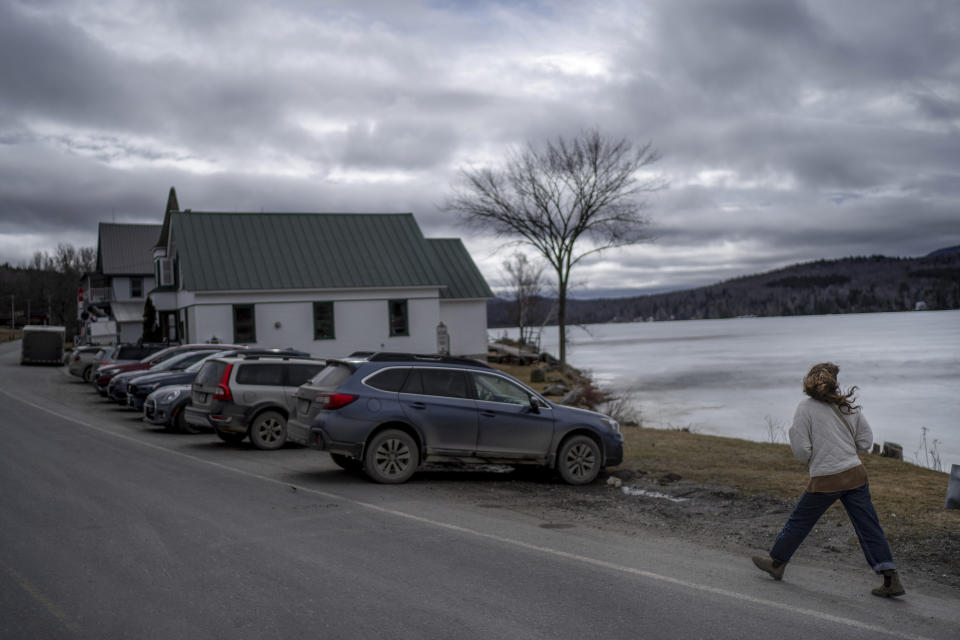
<point x="820" y="438"/>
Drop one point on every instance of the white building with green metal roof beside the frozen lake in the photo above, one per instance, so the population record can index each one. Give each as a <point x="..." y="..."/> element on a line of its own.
<point x="326" y="283"/>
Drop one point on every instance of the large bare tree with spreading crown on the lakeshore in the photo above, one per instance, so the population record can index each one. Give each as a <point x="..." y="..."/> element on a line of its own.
<point x="567" y="199"/>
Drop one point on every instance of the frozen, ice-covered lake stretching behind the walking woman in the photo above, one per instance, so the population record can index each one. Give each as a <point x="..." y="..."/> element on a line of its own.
<point x="725" y="377"/>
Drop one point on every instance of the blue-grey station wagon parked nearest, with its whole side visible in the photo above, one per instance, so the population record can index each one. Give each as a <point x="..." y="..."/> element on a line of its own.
<point x="389" y="413"/>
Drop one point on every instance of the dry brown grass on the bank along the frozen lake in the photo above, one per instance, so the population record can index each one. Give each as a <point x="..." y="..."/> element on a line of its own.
<point x="909" y="499"/>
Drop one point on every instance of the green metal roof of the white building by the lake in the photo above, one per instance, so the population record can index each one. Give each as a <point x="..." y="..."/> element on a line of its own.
<point x="237" y="251"/>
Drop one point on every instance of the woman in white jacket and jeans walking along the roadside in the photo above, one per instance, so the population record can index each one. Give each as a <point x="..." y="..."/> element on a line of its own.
<point x="828" y="430"/>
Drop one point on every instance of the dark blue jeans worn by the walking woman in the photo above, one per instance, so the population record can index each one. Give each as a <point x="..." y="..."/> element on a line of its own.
<point x="862" y="514"/>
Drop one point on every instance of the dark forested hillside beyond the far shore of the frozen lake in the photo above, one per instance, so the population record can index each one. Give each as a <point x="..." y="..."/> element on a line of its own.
<point x="849" y="285"/>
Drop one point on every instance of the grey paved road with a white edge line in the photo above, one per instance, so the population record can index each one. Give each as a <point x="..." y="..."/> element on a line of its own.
<point x="113" y="529"/>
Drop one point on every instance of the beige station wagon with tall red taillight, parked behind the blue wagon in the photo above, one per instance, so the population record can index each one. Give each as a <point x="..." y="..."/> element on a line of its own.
<point x="249" y="396"/>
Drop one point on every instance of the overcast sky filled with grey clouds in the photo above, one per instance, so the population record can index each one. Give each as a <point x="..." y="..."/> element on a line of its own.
<point x="790" y="131"/>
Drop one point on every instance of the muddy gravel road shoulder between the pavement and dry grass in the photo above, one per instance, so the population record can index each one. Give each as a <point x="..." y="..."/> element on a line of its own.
<point x="718" y="517"/>
